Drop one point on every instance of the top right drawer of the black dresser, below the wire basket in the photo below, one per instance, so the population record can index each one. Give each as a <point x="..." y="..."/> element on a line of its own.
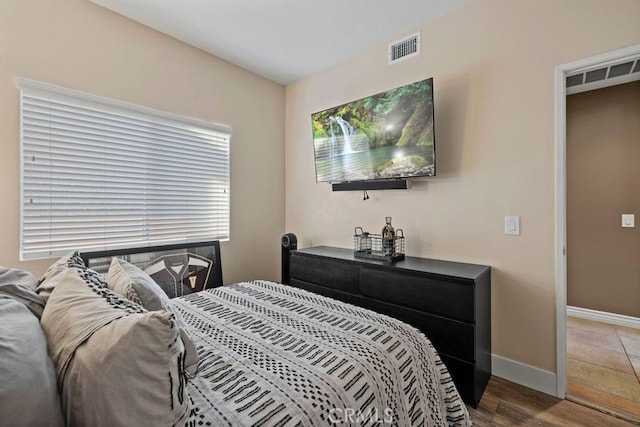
<point x="449" y="299"/>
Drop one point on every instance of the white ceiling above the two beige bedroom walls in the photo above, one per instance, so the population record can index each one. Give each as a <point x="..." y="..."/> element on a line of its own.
<point x="284" y="40"/>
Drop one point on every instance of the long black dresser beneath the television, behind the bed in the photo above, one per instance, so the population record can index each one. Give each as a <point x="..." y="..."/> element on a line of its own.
<point x="450" y="302"/>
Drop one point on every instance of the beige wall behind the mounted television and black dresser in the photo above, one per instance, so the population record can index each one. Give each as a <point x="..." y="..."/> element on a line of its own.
<point x="493" y="66"/>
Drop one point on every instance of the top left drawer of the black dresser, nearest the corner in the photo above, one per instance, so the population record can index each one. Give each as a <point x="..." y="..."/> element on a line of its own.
<point x="326" y="272"/>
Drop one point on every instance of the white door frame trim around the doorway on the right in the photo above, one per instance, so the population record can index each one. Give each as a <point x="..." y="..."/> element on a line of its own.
<point x="561" y="72"/>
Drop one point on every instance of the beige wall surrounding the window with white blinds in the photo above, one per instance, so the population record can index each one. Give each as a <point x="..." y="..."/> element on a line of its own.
<point x="79" y="45"/>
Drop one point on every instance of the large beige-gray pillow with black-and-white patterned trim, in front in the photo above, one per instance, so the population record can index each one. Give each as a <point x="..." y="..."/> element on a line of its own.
<point x="116" y="363"/>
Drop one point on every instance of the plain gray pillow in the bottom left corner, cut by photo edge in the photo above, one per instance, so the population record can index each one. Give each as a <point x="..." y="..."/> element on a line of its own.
<point x="28" y="392"/>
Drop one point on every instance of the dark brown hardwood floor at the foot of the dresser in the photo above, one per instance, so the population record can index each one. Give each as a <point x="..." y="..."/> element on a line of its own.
<point x="507" y="404"/>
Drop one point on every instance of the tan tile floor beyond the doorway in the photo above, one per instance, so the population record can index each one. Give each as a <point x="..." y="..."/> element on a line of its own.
<point x="603" y="367"/>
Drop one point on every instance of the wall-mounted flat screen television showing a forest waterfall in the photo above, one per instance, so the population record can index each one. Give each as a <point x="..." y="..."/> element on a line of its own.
<point x="389" y="135"/>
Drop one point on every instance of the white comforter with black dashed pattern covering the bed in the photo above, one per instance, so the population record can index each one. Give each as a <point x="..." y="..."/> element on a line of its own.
<point x="274" y="355"/>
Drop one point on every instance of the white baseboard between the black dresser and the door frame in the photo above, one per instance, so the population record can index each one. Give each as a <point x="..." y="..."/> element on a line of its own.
<point x="520" y="373"/>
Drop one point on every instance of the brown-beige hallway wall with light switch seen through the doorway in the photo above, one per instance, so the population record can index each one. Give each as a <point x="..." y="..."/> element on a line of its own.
<point x="603" y="154"/>
